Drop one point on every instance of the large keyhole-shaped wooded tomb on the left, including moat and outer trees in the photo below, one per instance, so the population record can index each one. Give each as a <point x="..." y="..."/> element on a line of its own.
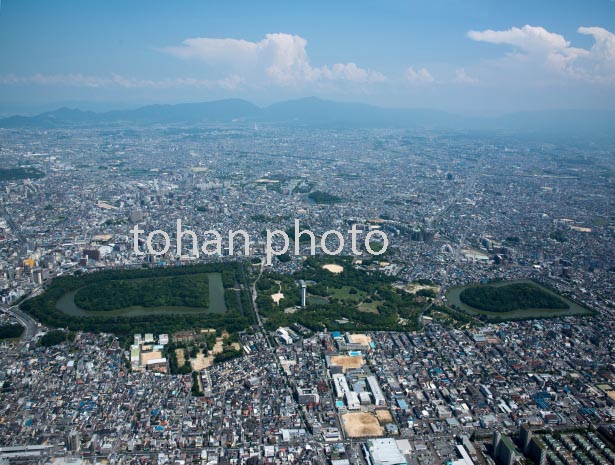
<point x="157" y="300"/>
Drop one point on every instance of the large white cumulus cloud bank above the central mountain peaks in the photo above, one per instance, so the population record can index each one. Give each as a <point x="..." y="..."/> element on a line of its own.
<point x="279" y="58"/>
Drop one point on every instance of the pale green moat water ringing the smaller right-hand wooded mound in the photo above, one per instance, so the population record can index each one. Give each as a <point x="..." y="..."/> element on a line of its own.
<point x="574" y="309"/>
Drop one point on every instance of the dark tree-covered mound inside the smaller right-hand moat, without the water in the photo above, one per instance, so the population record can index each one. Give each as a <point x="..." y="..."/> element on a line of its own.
<point x="507" y="298"/>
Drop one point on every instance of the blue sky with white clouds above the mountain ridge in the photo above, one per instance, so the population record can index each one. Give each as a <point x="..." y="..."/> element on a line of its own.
<point x="469" y="57"/>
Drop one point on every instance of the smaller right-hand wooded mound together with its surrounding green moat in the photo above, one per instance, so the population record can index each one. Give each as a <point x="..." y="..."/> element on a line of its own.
<point x="512" y="300"/>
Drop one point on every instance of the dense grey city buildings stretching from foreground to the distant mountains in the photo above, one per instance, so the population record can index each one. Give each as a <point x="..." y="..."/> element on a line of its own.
<point x="458" y="209"/>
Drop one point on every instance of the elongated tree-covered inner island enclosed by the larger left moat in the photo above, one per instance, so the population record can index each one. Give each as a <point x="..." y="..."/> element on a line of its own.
<point x="174" y="291"/>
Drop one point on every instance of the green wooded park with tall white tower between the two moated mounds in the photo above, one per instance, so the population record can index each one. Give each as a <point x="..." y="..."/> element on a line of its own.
<point x="348" y="298"/>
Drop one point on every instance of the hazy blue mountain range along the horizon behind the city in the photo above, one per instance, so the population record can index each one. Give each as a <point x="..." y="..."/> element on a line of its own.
<point x="316" y="112"/>
